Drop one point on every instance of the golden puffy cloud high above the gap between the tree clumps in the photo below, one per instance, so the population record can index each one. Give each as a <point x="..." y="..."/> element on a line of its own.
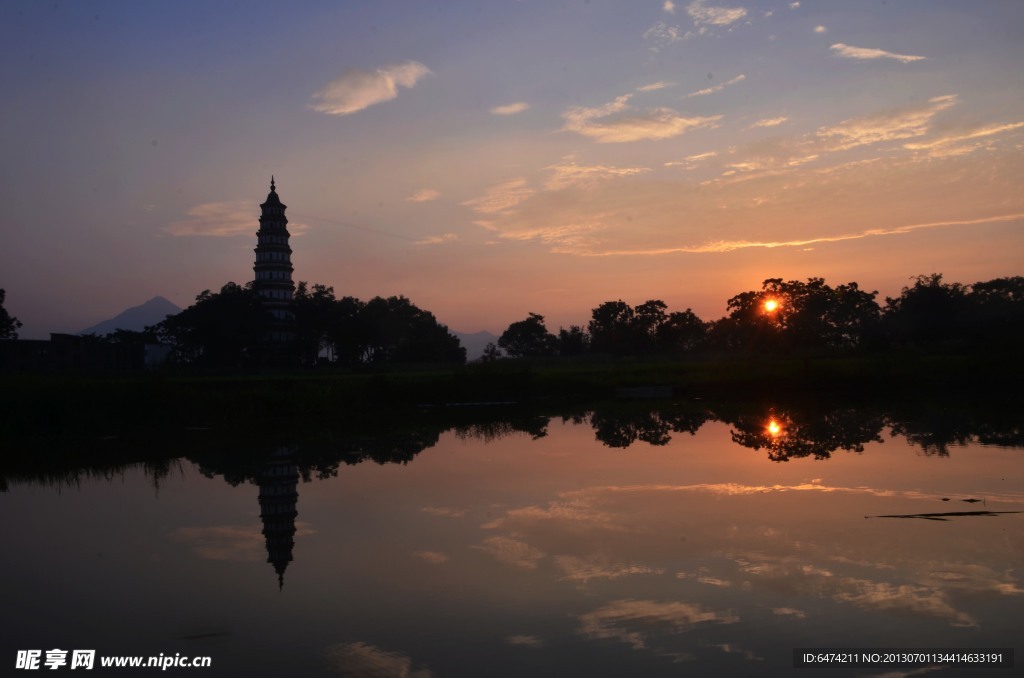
<point x="616" y="122"/>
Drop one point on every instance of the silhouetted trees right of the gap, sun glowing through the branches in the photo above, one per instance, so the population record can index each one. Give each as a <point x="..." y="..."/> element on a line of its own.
<point x="792" y="317"/>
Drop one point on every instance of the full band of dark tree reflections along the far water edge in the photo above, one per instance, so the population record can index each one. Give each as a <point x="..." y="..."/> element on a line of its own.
<point x="239" y="456"/>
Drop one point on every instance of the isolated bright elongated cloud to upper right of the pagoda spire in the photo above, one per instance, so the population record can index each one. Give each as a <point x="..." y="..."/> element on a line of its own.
<point x="357" y="91"/>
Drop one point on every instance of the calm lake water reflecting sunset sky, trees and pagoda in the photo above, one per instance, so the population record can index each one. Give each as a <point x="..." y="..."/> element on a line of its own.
<point x="603" y="544"/>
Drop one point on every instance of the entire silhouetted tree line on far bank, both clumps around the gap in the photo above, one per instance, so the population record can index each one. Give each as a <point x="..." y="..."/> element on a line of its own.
<point x="230" y="328"/>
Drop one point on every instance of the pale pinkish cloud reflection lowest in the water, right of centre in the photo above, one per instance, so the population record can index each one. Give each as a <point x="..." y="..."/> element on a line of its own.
<point x="633" y="621"/>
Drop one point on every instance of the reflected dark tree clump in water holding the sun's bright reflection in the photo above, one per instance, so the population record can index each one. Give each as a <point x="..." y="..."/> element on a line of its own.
<point x="793" y="434"/>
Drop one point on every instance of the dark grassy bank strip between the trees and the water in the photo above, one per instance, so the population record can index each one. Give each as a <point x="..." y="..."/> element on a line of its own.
<point x="40" y="405"/>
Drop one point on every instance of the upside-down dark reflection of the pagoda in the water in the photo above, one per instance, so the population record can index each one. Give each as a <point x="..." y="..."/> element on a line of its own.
<point x="278" y="496"/>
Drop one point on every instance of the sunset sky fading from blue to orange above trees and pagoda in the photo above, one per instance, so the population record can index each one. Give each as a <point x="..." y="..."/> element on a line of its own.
<point x="489" y="160"/>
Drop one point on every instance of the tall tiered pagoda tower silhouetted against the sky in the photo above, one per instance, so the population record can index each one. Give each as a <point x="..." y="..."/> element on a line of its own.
<point x="274" y="268"/>
